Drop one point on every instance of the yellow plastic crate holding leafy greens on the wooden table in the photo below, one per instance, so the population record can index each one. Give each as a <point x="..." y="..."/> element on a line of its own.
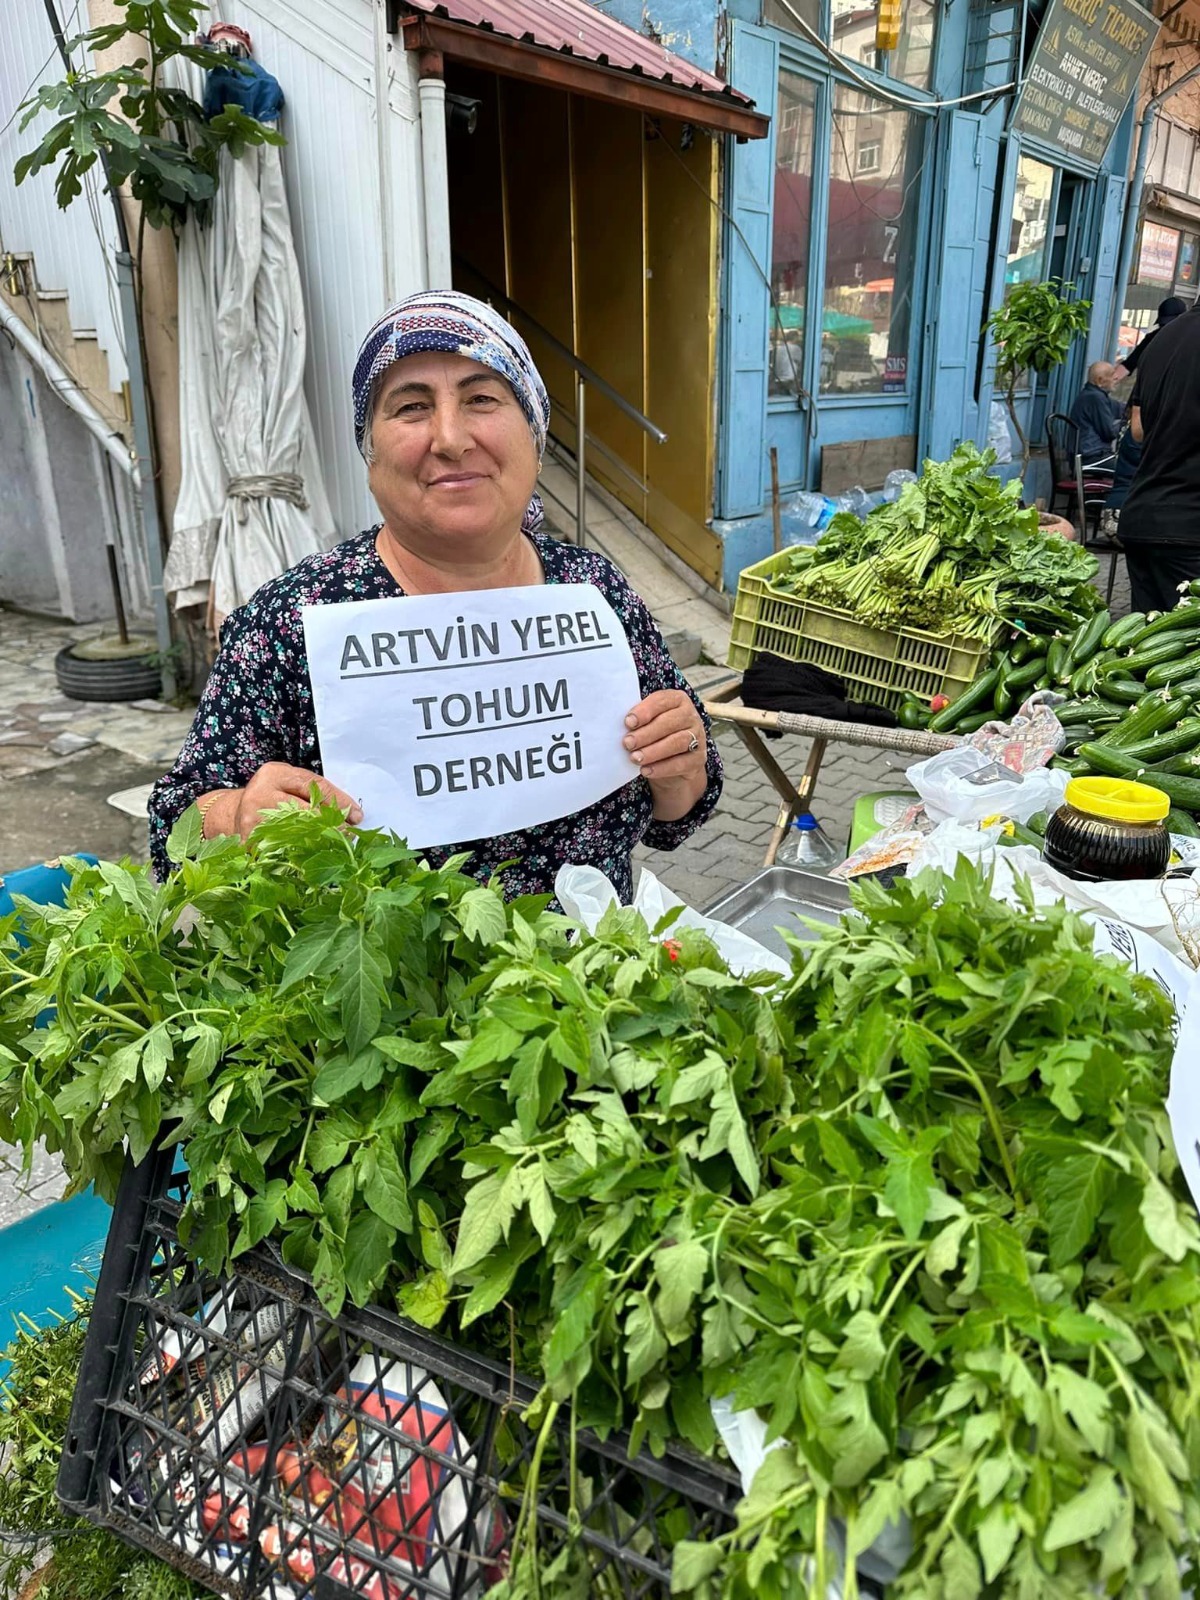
<point x="874" y="663"/>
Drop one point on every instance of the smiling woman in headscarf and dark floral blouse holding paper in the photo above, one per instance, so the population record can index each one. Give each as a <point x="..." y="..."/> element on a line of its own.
<point x="450" y="415"/>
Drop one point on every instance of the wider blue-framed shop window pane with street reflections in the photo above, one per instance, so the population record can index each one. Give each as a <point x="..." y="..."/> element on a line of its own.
<point x="871" y="249"/>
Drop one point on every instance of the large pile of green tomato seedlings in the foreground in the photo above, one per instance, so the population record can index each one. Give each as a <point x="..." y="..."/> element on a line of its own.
<point x="918" y="1204"/>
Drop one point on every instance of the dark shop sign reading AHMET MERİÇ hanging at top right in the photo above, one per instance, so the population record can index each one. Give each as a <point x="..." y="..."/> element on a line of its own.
<point x="1084" y="74"/>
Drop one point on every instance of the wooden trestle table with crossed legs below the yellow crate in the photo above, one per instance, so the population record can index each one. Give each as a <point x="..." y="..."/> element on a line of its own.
<point x="724" y="705"/>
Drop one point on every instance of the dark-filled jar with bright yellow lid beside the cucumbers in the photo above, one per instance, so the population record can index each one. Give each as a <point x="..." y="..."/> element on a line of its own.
<point x="1110" y="828"/>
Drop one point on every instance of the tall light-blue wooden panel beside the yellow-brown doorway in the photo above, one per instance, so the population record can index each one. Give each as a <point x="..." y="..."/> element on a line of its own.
<point x="754" y="70"/>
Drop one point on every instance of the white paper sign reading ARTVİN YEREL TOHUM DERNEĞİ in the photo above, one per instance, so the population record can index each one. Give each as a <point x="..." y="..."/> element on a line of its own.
<point x="468" y="716"/>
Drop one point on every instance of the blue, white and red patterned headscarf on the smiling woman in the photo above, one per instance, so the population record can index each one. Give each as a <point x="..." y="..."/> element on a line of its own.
<point x="460" y="326"/>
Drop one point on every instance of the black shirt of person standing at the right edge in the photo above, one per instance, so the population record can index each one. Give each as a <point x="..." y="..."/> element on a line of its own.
<point x="1164" y="502"/>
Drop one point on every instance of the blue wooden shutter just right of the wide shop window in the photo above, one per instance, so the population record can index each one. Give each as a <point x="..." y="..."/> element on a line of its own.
<point x="970" y="161"/>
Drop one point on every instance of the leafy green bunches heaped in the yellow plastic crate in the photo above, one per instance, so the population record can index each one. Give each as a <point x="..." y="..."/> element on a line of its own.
<point x="954" y="554"/>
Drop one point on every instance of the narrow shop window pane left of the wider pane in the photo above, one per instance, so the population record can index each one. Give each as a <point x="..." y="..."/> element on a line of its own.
<point x="791" y="241"/>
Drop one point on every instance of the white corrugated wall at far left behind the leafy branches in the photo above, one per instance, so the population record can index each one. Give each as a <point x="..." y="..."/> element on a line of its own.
<point x="73" y="249"/>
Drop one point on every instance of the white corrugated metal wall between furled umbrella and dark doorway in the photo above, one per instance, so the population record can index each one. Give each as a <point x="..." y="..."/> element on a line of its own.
<point x="324" y="54"/>
